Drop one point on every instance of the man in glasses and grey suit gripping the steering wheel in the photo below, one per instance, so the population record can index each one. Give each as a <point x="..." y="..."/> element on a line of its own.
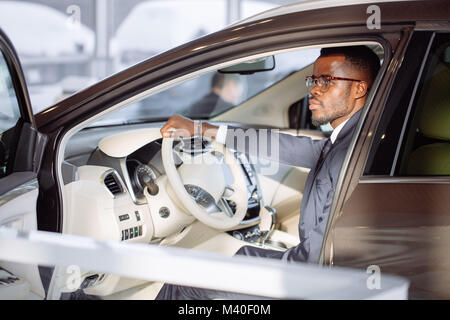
<point x="339" y="88"/>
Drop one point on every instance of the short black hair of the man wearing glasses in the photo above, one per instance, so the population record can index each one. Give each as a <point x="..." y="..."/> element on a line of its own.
<point x="360" y="57"/>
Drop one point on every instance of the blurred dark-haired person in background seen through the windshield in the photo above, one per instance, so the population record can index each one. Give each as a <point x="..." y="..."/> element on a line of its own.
<point x="226" y="91"/>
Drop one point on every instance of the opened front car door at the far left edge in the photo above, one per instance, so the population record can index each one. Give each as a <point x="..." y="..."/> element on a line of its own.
<point x="19" y="163"/>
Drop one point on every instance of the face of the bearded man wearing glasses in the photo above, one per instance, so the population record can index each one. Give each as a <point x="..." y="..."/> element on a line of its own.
<point x="337" y="103"/>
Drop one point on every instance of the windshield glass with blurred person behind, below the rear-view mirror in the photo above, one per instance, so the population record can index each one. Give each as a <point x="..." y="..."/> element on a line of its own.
<point x="212" y="93"/>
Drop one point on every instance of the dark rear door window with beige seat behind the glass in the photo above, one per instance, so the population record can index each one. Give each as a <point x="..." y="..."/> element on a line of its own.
<point x="426" y="147"/>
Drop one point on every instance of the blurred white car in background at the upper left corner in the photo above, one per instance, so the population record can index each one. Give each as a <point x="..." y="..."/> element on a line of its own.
<point x="51" y="47"/>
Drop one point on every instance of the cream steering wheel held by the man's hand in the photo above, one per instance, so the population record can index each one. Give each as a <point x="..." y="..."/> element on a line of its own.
<point x="204" y="176"/>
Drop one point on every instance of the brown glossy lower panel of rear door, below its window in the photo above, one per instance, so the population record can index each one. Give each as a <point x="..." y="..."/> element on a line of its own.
<point x="404" y="228"/>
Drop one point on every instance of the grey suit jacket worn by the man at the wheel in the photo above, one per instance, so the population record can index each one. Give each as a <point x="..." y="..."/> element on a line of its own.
<point x="319" y="187"/>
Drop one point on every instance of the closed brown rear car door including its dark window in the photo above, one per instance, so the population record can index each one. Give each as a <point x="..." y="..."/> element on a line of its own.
<point x="398" y="217"/>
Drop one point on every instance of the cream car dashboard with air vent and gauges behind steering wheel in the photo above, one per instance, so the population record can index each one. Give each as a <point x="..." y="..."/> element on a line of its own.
<point x="133" y="186"/>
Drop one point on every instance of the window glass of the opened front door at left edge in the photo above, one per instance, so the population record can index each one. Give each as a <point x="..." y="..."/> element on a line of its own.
<point x="9" y="116"/>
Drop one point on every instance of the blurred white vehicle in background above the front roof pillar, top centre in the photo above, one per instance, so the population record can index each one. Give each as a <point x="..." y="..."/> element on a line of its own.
<point x="146" y="30"/>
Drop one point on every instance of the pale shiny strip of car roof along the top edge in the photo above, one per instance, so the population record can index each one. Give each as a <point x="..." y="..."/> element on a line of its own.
<point x="311" y="5"/>
